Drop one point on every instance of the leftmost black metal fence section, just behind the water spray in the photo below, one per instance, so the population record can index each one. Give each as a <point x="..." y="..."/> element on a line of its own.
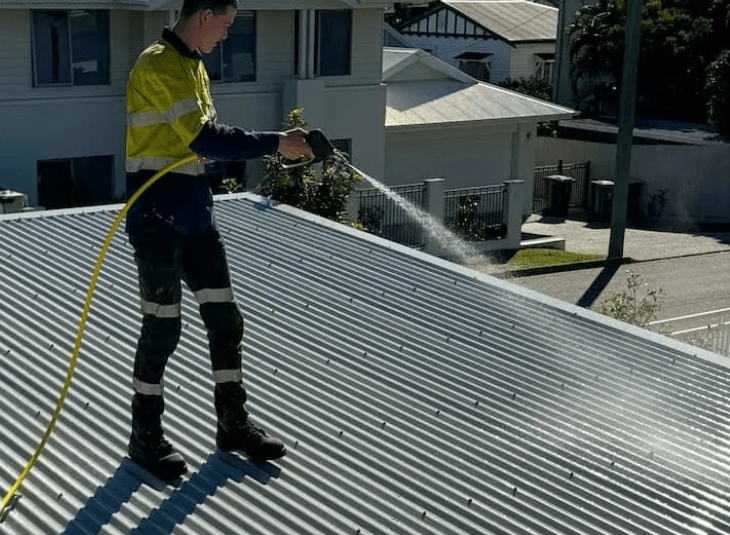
<point x="384" y="216"/>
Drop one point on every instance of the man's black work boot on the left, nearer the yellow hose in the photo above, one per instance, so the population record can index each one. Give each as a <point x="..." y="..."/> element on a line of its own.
<point x="147" y="445"/>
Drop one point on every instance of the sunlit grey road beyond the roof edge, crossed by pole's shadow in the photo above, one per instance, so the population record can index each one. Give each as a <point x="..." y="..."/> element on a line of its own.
<point x="690" y="285"/>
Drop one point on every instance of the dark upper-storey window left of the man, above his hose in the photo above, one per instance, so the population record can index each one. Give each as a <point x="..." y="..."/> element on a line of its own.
<point x="70" y="47"/>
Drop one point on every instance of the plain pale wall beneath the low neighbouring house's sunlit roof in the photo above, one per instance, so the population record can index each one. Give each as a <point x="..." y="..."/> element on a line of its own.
<point x="464" y="157"/>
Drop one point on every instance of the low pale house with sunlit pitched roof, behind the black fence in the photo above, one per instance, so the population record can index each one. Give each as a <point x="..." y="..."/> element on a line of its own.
<point x="442" y="123"/>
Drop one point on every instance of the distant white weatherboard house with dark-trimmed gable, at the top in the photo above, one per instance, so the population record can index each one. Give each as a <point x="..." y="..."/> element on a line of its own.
<point x="492" y="40"/>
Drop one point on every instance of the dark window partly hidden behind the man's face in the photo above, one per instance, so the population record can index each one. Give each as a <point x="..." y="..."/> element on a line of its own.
<point x="234" y="60"/>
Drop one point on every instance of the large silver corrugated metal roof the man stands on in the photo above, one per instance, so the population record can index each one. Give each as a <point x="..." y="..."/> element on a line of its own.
<point x="415" y="396"/>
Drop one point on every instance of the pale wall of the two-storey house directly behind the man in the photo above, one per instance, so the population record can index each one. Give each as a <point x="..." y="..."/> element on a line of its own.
<point x="69" y="122"/>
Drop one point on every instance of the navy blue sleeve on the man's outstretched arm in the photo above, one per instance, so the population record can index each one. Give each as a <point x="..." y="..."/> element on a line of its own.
<point x="230" y="143"/>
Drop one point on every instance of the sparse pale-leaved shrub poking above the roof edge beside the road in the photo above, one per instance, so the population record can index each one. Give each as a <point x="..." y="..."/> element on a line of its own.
<point x="631" y="305"/>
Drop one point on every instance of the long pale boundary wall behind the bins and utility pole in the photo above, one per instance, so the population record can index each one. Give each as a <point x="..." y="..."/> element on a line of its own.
<point x="696" y="178"/>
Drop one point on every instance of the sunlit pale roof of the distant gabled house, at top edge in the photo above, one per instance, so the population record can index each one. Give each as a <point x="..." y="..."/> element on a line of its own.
<point x="513" y="20"/>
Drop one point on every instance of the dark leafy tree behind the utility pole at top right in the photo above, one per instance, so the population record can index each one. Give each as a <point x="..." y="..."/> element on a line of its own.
<point x="679" y="41"/>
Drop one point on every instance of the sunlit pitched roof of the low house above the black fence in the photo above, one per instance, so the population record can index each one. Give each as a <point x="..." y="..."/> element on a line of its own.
<point x="424" y="90"/>
